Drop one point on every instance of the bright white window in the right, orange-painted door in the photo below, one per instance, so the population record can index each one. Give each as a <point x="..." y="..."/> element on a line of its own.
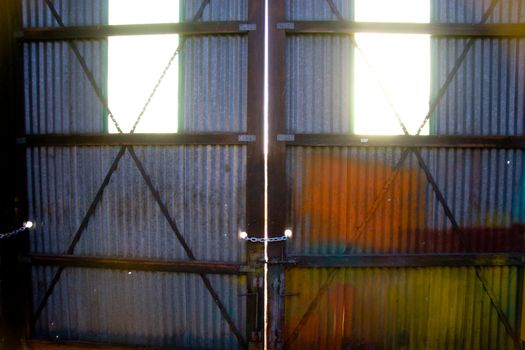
<point x="400" y="62"/>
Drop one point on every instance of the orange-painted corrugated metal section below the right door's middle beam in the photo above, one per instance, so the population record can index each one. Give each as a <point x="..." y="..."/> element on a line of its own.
<point x="333" y="188"/>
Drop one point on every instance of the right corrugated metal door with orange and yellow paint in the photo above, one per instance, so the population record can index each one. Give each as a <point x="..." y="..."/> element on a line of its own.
<point x="399" y="242"/>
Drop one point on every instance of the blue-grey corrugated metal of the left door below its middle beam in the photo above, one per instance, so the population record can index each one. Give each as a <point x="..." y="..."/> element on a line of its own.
<point x="203" y="187"/>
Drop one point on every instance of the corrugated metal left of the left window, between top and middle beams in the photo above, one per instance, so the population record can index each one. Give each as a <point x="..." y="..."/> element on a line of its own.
<point x="58" y="96"/>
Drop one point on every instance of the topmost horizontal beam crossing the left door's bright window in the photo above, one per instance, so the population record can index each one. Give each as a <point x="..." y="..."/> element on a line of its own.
<point x="103" y="31"/>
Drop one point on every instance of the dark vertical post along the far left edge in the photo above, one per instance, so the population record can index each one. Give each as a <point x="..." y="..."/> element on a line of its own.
<point x="14" y="277"/>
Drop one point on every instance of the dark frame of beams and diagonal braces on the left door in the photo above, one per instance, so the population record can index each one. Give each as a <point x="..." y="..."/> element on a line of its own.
<point x="126" y="142"/>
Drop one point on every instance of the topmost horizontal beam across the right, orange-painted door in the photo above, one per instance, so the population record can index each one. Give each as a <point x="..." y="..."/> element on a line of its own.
<point x="434" y="29"/>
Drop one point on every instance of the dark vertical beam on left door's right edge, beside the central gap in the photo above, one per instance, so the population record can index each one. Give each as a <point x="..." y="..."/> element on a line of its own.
<point x="255" y="173"/>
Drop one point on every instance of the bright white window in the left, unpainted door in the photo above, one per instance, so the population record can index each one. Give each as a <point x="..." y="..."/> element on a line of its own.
<point x="136" y="62"/>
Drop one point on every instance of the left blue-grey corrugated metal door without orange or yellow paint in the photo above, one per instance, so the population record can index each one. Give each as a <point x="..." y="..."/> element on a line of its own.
<point x="137" y="235"/>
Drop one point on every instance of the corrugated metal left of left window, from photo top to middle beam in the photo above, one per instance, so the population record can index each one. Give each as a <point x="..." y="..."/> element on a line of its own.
<point x="58" y="97"/>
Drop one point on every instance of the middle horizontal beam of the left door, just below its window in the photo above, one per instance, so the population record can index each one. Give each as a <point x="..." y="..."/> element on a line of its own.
<point x="135" y="139"/>
